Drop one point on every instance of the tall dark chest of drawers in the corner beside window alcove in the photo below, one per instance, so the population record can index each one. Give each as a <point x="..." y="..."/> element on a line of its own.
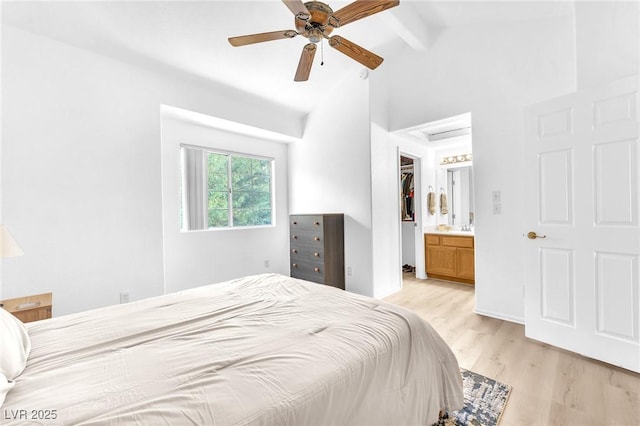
<point x="317" y="248"/>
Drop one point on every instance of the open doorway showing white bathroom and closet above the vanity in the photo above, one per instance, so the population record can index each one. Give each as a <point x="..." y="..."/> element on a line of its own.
<point x="434" y="147"/>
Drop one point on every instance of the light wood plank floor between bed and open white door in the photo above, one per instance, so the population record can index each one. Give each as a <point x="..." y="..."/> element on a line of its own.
<point x="550" y="386"/>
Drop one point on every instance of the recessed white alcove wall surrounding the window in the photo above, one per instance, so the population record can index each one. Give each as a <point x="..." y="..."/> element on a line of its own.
<point x="204" y="257"/>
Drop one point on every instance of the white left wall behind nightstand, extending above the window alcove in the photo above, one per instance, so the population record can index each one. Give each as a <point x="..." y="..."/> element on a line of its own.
<point x="81" y="174"/>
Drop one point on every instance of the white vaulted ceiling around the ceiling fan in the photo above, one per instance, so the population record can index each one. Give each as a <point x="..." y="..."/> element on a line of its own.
<point x="189" y="38"/>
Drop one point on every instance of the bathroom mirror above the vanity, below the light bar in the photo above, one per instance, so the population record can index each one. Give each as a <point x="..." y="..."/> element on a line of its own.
<point x="460" y="195"/>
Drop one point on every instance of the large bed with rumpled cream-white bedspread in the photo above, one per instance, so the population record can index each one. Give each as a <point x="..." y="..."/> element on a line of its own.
<point x="264" y="350"/>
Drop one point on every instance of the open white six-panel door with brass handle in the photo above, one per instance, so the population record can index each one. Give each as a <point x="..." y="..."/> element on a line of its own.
<point x="582" y="201"/>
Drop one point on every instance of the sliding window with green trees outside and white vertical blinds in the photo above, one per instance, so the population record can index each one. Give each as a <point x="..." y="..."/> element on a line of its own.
<point x="225" y="190"/>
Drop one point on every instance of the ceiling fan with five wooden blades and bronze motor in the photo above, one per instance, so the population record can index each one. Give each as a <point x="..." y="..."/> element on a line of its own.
<point x="316" y="20"/>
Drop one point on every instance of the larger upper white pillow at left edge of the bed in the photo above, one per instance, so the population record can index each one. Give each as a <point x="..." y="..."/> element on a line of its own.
<point x="14" y="346"/>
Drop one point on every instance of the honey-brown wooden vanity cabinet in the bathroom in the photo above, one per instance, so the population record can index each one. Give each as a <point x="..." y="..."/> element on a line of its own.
<point x="450" y="257"/>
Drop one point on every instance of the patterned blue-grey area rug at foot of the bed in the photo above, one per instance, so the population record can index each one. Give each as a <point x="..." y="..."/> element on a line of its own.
<point x="484" y="402"/>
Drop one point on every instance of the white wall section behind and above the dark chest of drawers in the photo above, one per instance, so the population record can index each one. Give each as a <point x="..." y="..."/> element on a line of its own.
<point x="330" y="172"/>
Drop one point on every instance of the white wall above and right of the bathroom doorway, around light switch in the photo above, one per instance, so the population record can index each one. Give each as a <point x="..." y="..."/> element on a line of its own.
<point x="493" y="72"/>
